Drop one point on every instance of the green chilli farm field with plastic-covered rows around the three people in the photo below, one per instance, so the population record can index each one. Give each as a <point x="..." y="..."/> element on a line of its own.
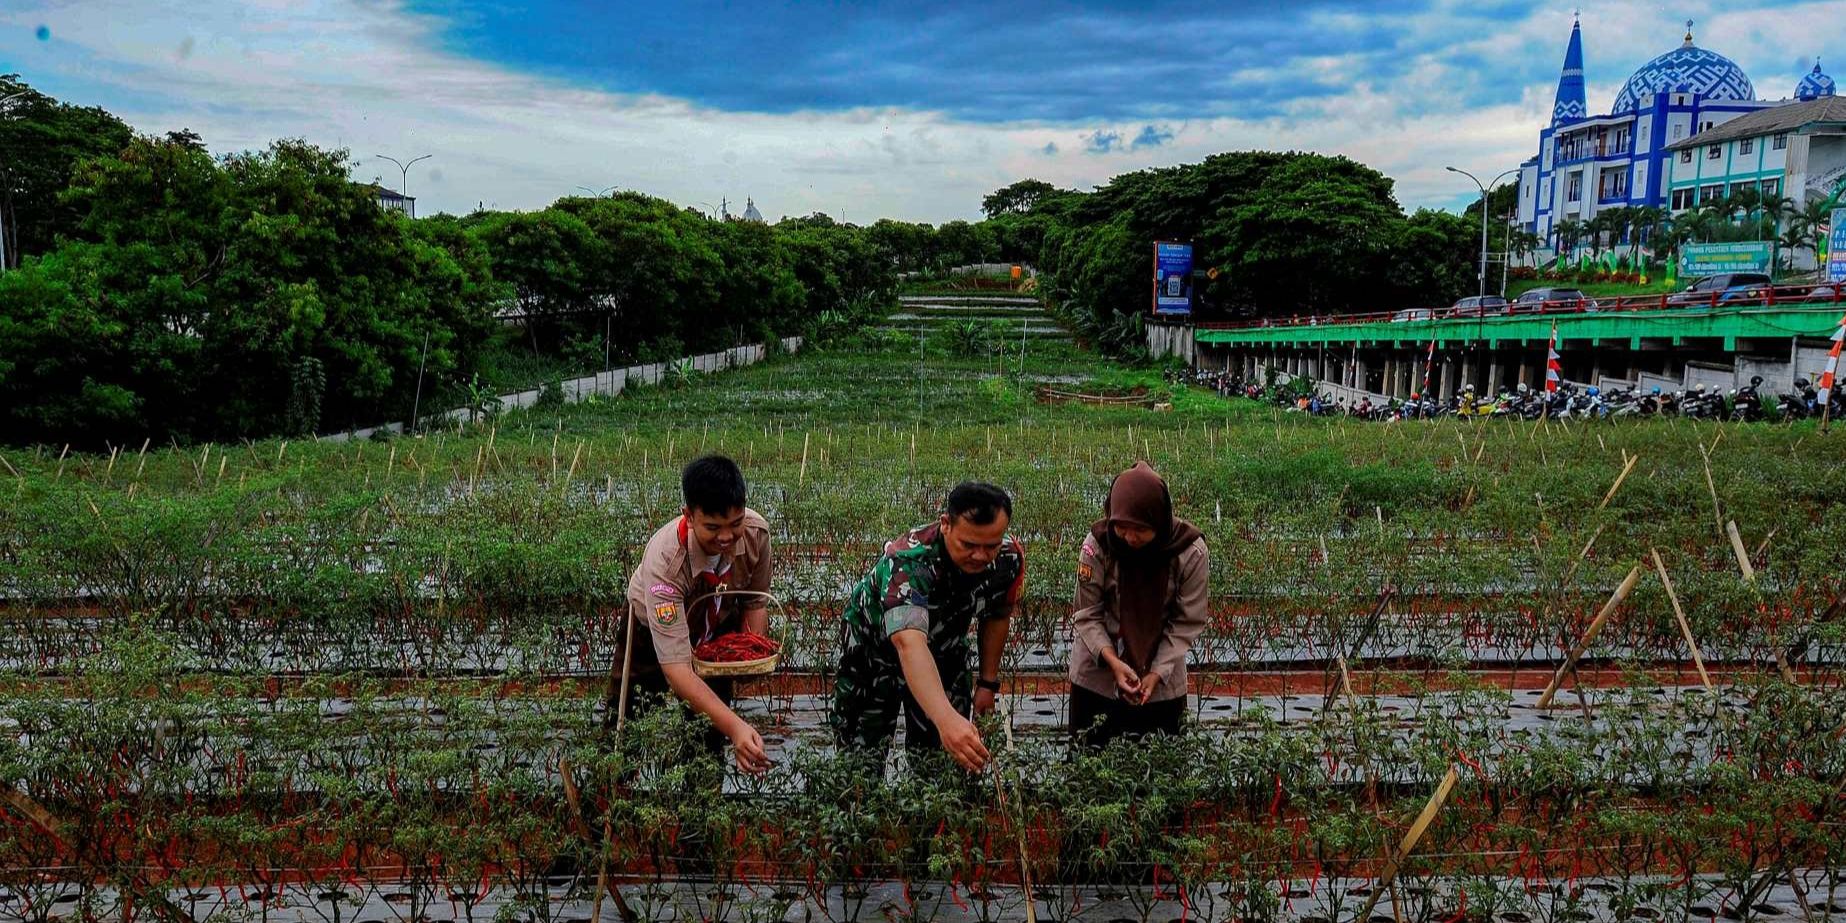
<point x="365" y="682"/>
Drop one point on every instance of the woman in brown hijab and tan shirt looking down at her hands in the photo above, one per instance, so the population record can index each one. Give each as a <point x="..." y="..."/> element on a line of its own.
<point x="1140" y="605"/>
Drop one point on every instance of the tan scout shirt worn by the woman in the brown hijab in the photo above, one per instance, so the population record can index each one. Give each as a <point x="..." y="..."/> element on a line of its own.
<point x="1099" y="625"/>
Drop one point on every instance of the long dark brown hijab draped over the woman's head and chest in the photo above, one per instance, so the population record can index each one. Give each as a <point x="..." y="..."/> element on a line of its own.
<point x="1144" y="575"/>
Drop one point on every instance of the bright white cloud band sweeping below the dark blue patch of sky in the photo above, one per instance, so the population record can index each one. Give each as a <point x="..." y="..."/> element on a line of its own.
<point x="376" y="78"/>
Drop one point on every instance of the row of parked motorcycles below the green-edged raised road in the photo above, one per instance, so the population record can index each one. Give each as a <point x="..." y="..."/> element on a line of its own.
<point x="1745" y="405"/>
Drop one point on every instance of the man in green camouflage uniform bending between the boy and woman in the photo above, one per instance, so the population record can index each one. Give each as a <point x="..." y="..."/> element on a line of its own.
<point x="904" y="636"/>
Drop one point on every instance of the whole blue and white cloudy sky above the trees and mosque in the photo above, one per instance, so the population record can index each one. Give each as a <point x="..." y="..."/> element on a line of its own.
<point x="872" y="110"/>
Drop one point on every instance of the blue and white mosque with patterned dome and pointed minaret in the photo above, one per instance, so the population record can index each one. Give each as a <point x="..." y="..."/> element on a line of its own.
<point x="1590" y="162"/>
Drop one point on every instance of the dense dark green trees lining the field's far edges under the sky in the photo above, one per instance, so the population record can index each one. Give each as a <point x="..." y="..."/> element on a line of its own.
<point x="163" y="293"/>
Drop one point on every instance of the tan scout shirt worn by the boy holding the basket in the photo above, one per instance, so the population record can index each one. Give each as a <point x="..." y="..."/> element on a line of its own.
<point x="675" y="603"/>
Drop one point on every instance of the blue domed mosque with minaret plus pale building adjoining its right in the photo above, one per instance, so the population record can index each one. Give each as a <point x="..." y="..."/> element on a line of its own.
<point x="1644" y="152"/>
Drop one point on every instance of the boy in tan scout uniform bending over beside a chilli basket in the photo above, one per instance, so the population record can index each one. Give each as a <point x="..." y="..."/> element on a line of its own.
<point x="680" y="593"/>
